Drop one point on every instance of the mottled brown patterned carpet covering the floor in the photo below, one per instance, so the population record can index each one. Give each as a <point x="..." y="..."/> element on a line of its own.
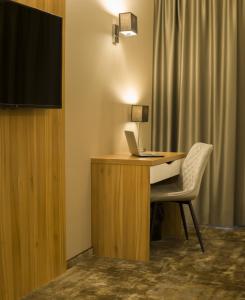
<point x="177" y="270"/>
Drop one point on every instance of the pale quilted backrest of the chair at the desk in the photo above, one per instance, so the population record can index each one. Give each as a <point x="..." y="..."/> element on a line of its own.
<point x="194" y="166"/>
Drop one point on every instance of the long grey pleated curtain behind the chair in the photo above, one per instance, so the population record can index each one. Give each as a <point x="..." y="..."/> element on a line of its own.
<point x="199" y="95"/>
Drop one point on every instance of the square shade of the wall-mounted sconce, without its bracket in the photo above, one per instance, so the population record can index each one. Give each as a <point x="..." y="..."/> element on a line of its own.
<point x="128" y="24"/>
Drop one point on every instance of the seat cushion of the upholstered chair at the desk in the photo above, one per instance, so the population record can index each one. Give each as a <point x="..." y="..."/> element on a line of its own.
<point x="170" y="192"/>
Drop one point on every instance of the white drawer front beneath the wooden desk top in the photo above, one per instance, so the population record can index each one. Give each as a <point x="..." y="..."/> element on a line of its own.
<point x="165" y="171"/>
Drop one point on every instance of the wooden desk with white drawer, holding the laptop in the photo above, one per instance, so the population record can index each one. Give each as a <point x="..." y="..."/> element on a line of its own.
<point x="121" y="202"/>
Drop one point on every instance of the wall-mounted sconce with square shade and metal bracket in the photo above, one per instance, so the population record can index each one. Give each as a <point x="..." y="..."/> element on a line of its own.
<point x="128" y="26"/>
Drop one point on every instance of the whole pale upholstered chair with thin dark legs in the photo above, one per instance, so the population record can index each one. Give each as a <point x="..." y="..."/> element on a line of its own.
<point x="187" y="187"/>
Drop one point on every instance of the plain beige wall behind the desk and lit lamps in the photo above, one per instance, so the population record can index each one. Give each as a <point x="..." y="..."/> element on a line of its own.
<point x="101" y="81"/>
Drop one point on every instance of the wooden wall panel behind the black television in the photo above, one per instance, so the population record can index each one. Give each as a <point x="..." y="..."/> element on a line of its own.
<point x="32" y="189"/>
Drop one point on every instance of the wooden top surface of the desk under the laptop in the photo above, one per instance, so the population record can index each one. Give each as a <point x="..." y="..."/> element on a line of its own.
<point x="128" y="159"/>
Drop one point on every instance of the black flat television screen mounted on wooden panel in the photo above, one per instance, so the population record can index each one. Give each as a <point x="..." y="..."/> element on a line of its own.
<point x="30" y="57"/>
